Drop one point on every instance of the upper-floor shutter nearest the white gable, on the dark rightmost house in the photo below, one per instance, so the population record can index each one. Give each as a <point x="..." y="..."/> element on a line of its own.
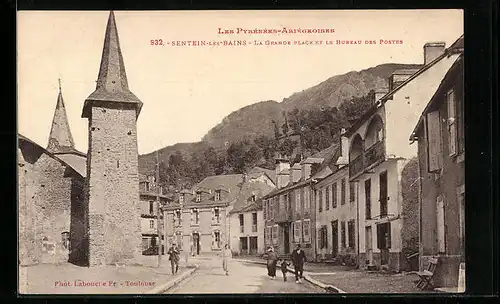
<point x="434" y="141"/>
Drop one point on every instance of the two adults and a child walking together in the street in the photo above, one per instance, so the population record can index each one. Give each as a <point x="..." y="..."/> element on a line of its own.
<point x="298" y="258"/>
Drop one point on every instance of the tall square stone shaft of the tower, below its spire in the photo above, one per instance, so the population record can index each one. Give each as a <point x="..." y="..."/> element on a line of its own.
<point x="113" y="186"/>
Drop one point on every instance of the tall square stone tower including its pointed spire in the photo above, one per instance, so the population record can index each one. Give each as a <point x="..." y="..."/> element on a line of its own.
<point x="112" y="189"/>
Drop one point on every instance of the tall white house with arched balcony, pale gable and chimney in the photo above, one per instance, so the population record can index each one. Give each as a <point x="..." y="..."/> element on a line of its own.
<point x="380" y="162"/>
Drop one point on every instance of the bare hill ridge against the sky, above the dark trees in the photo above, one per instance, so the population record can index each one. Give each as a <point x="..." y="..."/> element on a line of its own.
<point x="256" y="119"/>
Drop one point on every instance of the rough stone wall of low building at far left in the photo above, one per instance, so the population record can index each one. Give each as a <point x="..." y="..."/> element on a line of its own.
<point x="48" y="188"/>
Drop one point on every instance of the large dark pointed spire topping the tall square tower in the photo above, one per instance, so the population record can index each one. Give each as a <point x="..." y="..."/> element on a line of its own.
<point x="112" y="84"/>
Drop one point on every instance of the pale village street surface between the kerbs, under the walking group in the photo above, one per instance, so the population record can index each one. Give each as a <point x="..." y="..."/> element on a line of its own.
<point x="243" y="278"/>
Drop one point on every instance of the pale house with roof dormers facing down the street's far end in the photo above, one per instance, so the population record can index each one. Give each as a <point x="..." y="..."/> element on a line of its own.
<point x="198" y="219"/>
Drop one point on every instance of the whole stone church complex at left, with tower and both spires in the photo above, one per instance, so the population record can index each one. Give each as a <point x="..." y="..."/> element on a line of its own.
<point x="85" y="208"/>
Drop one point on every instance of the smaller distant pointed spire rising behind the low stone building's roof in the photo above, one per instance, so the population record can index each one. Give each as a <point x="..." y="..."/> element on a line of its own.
<point x="60" y="139"/>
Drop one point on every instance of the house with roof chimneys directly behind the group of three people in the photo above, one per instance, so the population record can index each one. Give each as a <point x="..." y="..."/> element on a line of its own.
<point x="289" y="209"/>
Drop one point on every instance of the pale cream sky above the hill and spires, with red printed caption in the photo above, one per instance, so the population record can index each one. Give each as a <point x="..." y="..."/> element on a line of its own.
<point x="188" y="90"/>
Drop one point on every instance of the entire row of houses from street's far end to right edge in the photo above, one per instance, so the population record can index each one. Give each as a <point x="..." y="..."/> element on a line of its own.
<point x="372" y="198"/>
